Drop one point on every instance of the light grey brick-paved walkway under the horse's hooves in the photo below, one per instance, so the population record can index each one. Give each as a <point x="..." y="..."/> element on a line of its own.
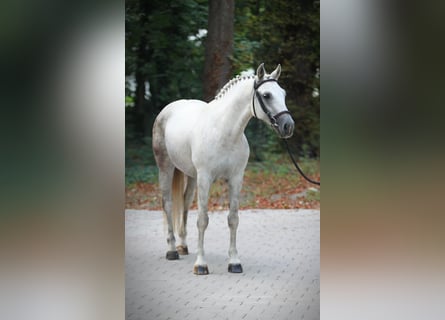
<point x="279" y="251"/>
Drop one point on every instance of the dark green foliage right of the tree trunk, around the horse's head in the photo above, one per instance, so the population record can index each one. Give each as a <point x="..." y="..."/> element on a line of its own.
<point x="285" y="32"/>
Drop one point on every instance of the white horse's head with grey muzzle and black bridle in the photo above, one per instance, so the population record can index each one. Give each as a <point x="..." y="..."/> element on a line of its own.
<point x="269" y="102"/>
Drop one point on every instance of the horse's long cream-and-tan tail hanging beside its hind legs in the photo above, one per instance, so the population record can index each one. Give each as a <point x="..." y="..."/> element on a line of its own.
<point x="178" y="187"/>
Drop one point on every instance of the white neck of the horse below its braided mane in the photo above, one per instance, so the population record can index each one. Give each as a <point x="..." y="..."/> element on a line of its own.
<point x="234" y="109"/>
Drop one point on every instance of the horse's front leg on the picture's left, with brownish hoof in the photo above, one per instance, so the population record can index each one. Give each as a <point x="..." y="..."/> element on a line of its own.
<point x="200" y="267"/>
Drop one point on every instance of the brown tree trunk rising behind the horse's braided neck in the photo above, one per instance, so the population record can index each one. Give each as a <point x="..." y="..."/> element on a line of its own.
<point x="219" y="47"/>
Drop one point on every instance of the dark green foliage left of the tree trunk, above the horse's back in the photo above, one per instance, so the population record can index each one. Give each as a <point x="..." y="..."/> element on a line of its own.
<point x="160" y="53"/>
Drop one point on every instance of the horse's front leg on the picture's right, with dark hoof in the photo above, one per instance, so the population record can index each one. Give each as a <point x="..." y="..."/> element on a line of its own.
<point x="233" y="220"/>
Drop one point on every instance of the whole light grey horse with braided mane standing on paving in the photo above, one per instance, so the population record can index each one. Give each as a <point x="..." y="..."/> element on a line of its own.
<point x="195" y="143"/>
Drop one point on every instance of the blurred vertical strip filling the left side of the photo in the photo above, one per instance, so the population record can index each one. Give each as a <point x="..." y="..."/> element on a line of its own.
<point x="62" y="67"/>
